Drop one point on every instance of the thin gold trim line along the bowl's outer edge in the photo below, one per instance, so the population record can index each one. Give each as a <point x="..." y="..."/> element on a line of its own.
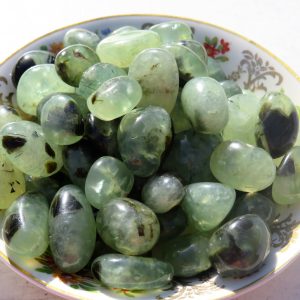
<point x="244" y="289"/>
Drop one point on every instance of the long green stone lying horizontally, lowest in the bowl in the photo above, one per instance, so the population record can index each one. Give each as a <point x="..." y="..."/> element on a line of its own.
<point x="131" y="273"/>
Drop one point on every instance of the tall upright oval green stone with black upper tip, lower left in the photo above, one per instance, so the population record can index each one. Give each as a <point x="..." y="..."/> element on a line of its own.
<point x="72" y="229"/>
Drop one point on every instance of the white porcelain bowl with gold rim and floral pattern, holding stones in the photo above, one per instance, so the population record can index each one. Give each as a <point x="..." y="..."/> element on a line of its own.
<point x="254" y="68"/>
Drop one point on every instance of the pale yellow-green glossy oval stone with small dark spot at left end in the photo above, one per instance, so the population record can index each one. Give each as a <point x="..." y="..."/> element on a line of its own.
<point x="115" y="98"/>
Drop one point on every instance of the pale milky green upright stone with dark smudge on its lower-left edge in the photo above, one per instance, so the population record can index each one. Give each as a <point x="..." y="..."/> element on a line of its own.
<point x="205" y="104"/>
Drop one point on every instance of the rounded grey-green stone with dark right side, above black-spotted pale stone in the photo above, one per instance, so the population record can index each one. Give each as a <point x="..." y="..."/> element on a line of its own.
<point x="62" y="120"/>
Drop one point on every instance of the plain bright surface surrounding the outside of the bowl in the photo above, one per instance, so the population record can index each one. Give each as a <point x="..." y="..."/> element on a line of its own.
<point x="271" y="23"/>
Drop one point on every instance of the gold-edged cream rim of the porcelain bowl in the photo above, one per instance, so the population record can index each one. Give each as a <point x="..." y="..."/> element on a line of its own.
<point x="234" y="294"/>
